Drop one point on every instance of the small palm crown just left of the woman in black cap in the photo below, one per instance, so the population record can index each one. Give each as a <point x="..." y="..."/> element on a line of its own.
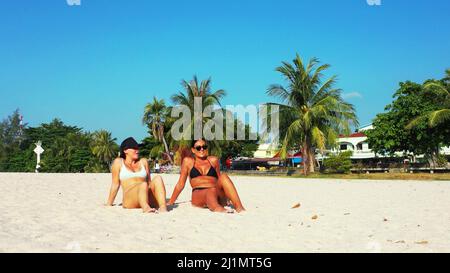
<point x="104" y="146"/>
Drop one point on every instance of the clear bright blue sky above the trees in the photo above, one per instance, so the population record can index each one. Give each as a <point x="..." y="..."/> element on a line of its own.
<point x="96" y="65"/>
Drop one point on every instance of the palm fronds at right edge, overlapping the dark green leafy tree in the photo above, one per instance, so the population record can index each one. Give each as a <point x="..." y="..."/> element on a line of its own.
<point x="439" y="90"/>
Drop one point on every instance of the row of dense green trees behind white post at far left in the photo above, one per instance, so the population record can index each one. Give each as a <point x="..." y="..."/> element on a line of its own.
<point x="67" y="148"/>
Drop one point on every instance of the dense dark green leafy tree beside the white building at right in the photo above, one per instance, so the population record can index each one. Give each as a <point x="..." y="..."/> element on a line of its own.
<point x="393" y="131"/>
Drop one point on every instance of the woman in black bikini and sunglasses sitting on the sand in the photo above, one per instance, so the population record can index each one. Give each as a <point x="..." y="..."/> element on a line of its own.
<point x="210" y="188"/>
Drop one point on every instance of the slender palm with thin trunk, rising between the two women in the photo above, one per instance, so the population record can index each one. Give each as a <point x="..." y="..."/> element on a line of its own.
<point x="155" y="115"/>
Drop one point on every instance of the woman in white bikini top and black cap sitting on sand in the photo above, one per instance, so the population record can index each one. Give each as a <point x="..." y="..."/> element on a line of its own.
<point x="133" y="174"/>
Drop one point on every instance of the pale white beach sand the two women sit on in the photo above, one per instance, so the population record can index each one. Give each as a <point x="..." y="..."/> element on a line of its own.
<point x="65" y="213"/>
